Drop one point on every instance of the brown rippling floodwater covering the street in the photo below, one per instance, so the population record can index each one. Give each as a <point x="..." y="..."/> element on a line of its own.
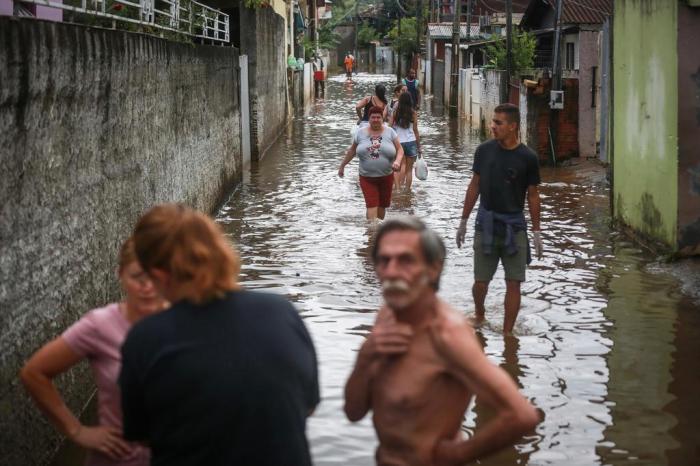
<point x="606" y="344"/>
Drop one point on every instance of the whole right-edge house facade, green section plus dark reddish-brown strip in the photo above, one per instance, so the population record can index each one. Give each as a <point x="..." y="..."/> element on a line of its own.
<point x="656" y="121"/>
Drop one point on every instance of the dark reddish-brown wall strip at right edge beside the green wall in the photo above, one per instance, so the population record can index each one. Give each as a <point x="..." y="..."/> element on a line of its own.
<point x="688" y="130"/>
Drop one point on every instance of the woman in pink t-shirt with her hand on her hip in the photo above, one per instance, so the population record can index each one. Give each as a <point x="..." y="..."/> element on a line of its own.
<point x="97" y="336"/>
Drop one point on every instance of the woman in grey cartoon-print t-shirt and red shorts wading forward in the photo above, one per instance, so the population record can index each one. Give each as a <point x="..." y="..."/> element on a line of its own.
<point x="380" y="154"/>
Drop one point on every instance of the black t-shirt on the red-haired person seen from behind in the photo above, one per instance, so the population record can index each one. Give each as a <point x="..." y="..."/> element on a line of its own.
<point x="229" y="383"/>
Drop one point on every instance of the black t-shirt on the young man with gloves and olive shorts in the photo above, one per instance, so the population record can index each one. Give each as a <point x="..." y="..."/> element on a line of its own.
<point x="504" y="175"/>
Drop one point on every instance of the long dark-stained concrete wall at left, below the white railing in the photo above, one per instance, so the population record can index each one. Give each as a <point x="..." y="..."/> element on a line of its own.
<point x="95" y="127"/>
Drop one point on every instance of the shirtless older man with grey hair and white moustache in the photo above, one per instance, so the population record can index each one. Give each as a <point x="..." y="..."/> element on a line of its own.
<point x="421" y="364"/>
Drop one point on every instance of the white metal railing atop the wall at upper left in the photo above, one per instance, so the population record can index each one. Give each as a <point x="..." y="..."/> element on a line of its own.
<point x="181" y="16"/>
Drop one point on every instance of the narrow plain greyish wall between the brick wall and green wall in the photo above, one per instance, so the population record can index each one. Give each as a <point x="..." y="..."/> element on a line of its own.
<point x="588" y="58"/>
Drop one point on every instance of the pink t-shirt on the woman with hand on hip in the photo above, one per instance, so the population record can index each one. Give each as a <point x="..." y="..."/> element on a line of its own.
<point x="98" y="336"/>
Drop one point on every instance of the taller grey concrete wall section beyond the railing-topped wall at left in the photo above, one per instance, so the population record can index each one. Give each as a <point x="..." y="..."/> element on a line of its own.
<point x="262" y="39"/>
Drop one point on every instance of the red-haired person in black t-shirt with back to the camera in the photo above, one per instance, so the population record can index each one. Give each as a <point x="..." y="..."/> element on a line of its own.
<point x="223" y="377"/>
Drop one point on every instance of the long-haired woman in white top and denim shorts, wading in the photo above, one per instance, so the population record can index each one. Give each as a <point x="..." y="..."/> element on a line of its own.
<point x="405" y="123"/>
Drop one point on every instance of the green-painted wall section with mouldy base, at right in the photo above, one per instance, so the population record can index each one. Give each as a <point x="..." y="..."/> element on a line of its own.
<point x="645" y="160"/>
